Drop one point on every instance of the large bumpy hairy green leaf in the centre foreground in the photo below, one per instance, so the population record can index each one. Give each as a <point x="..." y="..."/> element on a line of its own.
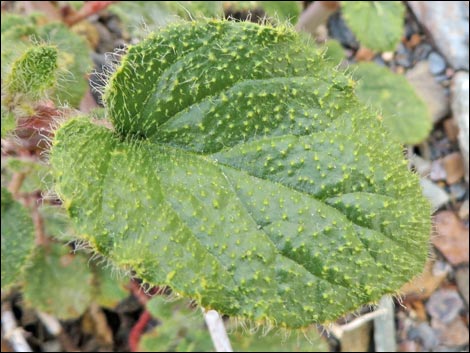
<point x="243" y="173"/>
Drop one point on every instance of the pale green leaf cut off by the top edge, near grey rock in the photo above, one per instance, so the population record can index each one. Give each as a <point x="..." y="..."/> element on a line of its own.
<point x="378" y="25"/>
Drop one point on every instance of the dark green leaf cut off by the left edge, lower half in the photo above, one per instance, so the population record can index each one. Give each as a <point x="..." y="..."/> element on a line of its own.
<point x="17" y="239"/>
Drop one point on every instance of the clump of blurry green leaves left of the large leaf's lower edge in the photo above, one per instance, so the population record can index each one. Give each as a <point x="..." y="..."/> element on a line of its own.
<point x="72" y="281"/>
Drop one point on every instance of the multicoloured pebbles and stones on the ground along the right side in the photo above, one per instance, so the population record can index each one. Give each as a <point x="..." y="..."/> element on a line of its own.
<point x="432" y="315"/>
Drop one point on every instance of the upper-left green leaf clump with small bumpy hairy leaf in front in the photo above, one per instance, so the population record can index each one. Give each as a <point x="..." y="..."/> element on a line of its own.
<point x="42" y="61"/>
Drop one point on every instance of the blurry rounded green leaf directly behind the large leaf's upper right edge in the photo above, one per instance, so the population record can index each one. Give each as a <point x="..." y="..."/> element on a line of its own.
<point x="405" y="115"/>
